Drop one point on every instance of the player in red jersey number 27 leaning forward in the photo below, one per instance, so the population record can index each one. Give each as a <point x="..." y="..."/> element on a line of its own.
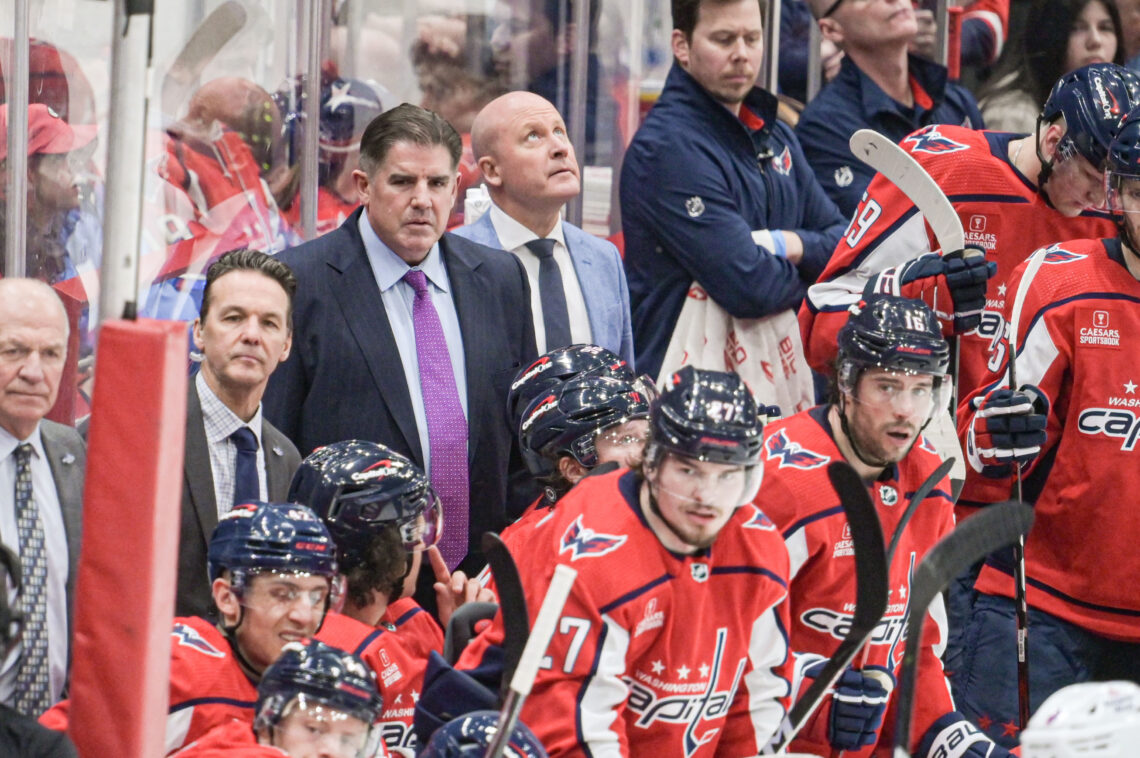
<point x="673" y="641"/>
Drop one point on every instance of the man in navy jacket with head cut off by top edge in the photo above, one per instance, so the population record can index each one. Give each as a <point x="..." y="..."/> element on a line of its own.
<point x="881" y="86"/>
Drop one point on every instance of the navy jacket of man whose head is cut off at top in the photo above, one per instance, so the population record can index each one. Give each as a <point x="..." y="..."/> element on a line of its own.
<point x="853" y="102"/>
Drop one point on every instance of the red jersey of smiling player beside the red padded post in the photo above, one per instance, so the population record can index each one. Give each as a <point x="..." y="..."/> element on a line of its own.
<point x="208" y="687"/>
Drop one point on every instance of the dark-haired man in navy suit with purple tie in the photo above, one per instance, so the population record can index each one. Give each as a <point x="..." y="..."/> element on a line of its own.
<point x="410" y="337"/>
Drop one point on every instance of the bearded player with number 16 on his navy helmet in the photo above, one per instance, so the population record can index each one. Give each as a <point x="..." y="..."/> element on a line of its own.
<point x="892" y="379"/>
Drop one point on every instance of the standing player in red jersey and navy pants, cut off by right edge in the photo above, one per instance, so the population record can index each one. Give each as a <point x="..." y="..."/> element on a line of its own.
<point x="1073" y="425"/>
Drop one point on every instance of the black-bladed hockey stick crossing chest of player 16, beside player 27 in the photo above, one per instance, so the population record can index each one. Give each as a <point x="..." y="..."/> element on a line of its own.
<point x="870" y="599"/>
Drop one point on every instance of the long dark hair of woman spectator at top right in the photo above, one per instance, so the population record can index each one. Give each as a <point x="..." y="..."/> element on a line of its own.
<point x="1036" y="59"/>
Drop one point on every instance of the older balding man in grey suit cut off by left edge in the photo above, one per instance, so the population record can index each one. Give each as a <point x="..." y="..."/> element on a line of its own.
<point x="42" y="490"/>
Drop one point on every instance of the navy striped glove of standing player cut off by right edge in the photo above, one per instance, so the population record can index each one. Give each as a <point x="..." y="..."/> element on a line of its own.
<point x="1007" y="428"/>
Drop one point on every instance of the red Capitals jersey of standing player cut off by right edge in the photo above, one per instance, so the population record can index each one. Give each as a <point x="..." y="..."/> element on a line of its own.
<point x="1077" y="343"/>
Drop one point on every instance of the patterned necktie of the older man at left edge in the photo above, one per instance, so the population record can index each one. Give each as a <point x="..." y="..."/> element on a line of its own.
<point x="34" y="682"/>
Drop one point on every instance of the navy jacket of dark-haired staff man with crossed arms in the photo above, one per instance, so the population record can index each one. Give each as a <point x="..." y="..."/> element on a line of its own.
<point x="696" y="183"/>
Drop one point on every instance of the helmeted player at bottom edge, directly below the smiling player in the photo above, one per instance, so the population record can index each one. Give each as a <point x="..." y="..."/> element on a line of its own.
<point x="315" y="702"/>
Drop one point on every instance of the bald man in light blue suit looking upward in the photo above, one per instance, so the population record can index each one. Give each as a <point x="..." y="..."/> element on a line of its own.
<point x="531" y="172"/>
